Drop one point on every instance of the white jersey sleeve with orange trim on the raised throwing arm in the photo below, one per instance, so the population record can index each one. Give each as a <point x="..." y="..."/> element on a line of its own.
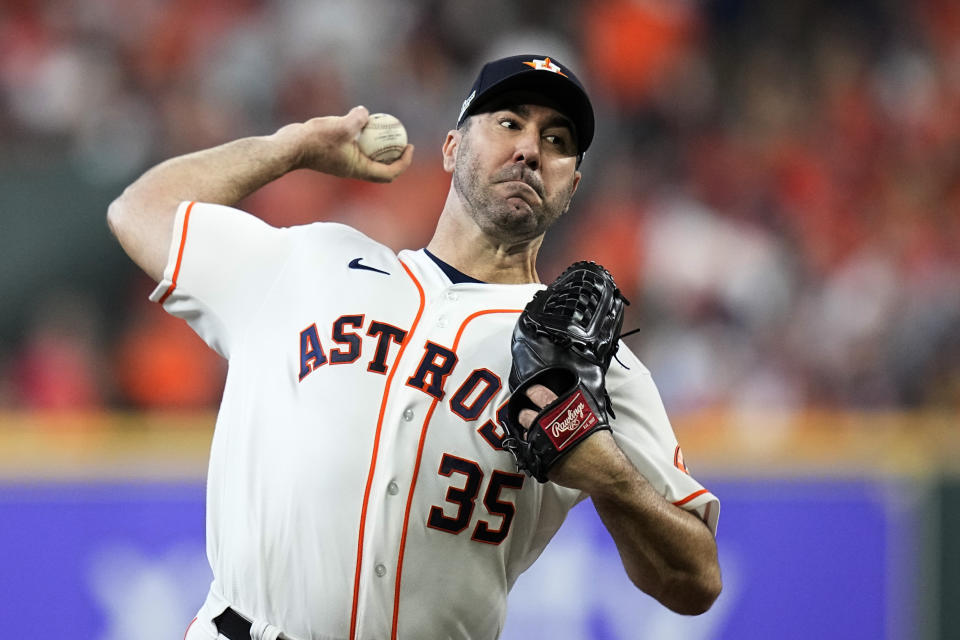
<point x="221" y="262"/>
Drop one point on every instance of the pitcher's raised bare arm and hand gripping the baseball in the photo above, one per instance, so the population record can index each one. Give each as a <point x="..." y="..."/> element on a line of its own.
<point x="142" y="217"/>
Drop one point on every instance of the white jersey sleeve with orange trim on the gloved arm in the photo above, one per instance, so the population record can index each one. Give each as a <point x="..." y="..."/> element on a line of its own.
<point x="642" y="429"/>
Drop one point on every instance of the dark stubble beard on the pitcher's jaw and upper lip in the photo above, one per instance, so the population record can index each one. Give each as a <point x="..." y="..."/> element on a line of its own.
<point x="501" y="218"/>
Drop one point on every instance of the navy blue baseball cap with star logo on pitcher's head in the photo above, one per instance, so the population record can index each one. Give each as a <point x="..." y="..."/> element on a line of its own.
<point x="540" y="75"/>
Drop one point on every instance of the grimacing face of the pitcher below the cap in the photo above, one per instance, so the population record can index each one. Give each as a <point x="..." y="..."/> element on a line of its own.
<point x="515" y="170"/>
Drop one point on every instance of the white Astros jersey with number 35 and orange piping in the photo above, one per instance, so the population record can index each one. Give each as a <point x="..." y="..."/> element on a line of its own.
<point x="357" y="488"/>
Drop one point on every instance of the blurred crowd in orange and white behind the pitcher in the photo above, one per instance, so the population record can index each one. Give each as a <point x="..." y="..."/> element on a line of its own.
<point x="775" y="185"/>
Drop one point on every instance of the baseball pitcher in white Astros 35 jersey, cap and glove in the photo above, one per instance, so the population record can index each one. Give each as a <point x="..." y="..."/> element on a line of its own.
<point x="401" y="435"/>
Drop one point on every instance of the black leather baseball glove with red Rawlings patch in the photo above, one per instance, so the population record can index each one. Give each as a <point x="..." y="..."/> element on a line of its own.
<point x="564" y="339"/>
